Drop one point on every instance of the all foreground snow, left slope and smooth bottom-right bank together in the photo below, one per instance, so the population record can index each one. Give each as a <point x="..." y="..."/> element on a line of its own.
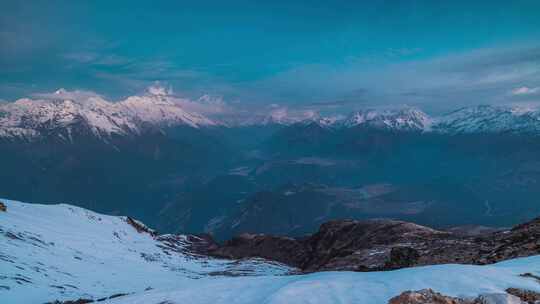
<point x="65" y="252"/>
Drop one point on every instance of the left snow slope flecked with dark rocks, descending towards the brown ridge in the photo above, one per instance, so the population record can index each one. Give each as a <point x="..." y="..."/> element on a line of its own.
<point x="50" y="252"/>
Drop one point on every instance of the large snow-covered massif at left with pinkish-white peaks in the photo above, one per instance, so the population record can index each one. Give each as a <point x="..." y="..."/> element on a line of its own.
<point x="29" y="119"/>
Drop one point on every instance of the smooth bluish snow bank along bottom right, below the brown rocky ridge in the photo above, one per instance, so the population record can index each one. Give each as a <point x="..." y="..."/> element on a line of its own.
<point x="348" y="287"/>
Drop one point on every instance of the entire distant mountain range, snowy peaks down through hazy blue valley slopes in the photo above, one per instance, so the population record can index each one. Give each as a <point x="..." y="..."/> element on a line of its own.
<point x="149" y="157"/>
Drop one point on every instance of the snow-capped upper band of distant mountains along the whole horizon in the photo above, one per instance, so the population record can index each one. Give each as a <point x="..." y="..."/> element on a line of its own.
<point x="28" y="119"/>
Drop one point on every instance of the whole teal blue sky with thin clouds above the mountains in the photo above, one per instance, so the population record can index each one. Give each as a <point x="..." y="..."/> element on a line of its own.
<point x="325" y="54"/>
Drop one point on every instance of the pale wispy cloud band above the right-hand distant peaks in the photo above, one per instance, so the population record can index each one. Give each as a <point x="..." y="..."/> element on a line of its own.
<point x="482" y="76"/>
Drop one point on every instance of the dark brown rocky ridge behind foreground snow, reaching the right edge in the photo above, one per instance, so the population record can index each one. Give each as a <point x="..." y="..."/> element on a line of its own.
<point x="375" y="245"/>
